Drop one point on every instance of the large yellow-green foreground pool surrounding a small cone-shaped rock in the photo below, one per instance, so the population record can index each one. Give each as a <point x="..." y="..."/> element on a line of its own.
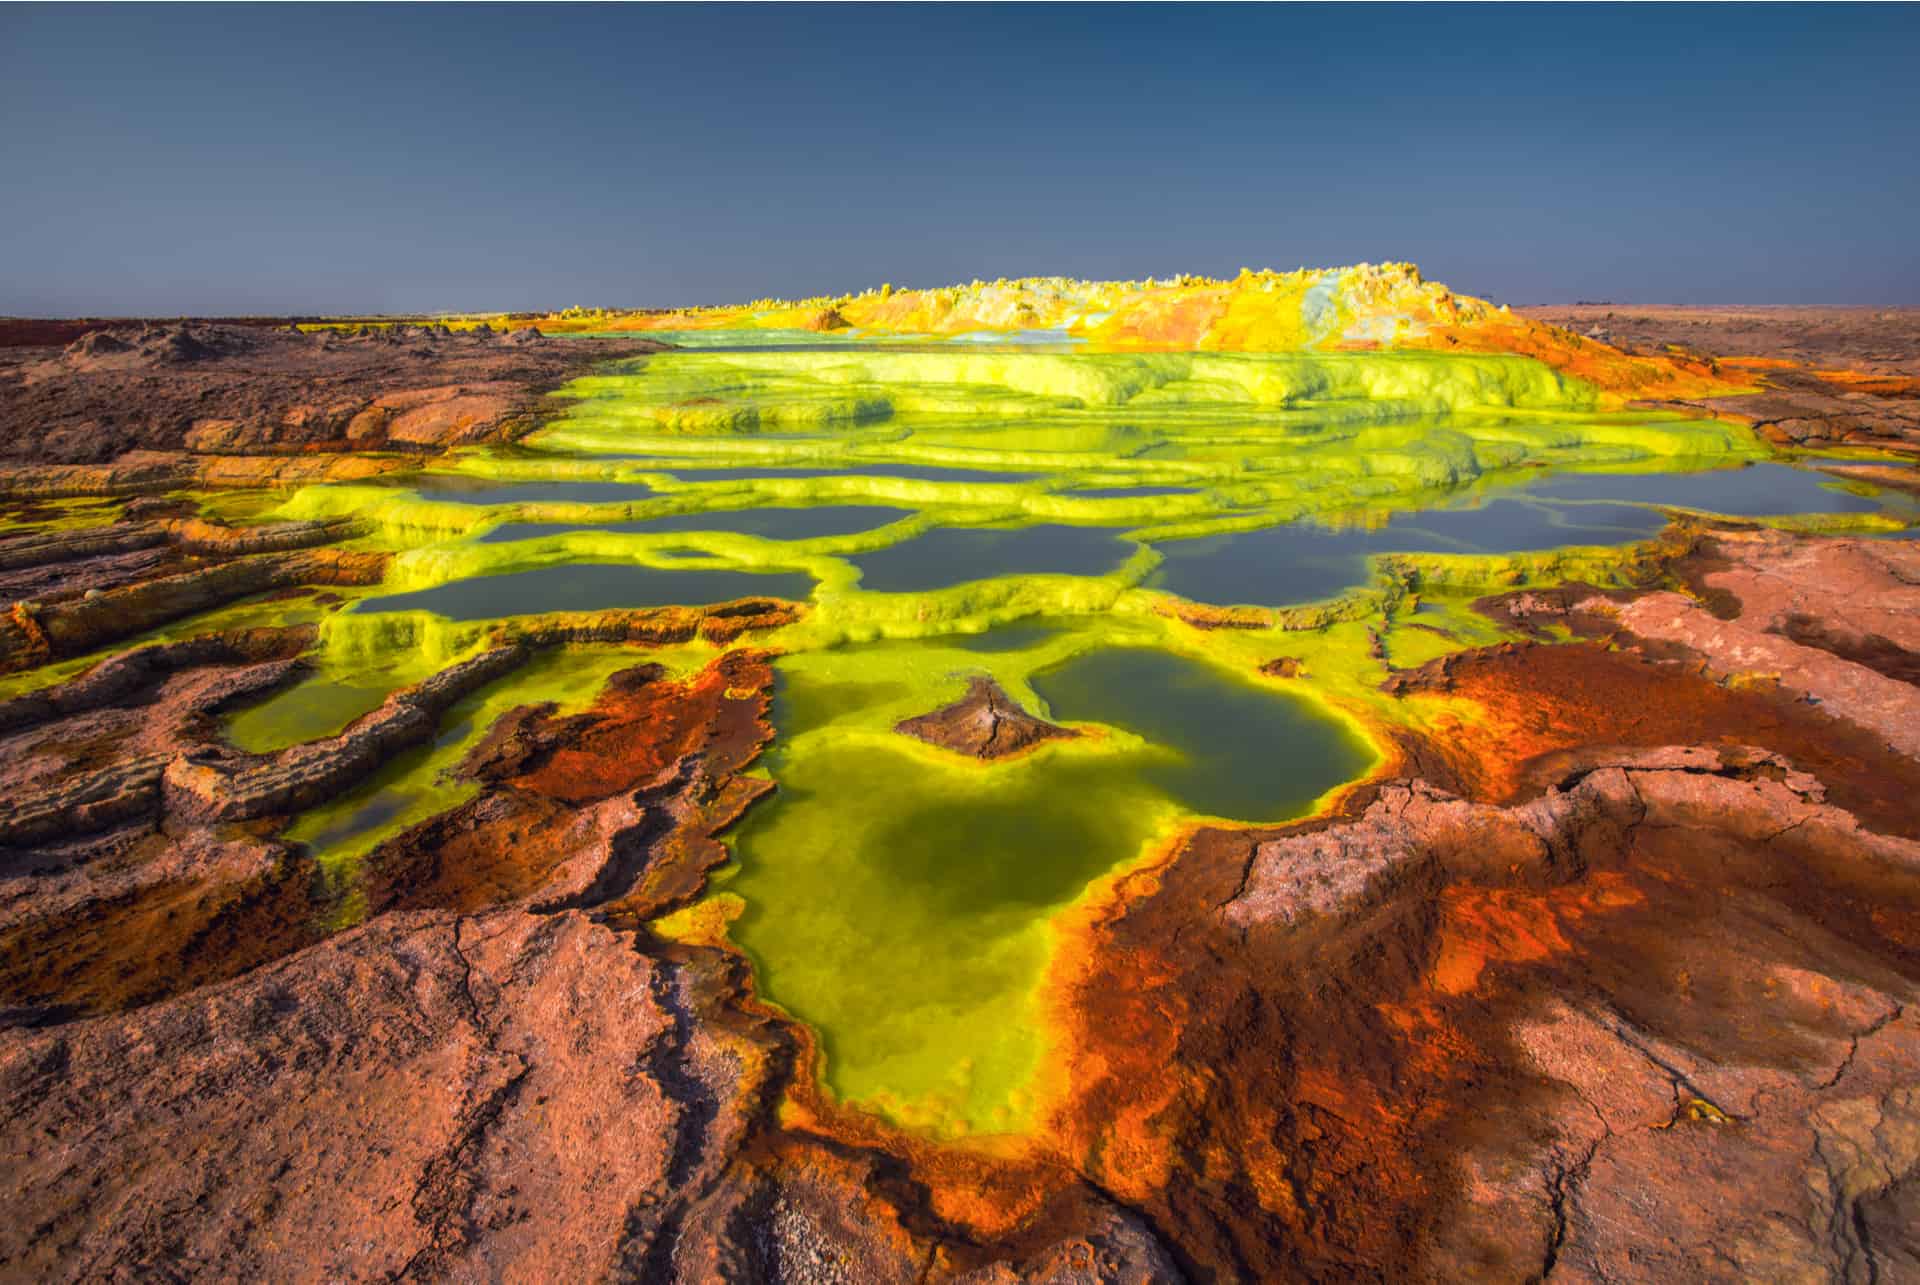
<point x="900" y="898"/>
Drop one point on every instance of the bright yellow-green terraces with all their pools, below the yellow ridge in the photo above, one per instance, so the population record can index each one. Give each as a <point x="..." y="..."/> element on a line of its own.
<point x="1067" y="521"/>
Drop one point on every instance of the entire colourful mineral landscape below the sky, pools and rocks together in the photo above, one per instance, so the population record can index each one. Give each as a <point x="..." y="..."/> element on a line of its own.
<point x="946" y="810"/>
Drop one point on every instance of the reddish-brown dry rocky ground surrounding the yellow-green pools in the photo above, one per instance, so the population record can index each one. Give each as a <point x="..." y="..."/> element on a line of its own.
<point x="1614" y="982"/>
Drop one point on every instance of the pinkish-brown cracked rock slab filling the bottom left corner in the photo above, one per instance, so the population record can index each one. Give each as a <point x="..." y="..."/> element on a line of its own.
<point x="516" y="1113"/>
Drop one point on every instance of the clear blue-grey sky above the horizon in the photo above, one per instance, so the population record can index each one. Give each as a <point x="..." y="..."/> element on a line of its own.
<point x="418" y="158"/>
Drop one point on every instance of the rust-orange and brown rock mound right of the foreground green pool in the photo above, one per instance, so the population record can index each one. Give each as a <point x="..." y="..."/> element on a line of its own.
<point x="1380" y="1042"/>
